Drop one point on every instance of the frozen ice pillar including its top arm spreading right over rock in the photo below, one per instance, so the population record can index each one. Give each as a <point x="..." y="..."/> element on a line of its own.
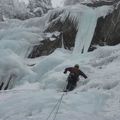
<point x="86" y="27"/>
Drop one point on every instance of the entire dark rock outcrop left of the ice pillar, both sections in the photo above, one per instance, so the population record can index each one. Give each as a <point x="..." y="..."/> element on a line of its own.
<point x="67" y="30"/>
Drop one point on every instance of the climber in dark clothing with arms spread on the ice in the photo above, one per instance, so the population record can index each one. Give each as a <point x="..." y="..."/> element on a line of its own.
<point x="73" y="77"/>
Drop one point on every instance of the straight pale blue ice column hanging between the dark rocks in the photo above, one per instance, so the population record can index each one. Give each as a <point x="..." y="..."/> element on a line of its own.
<point x="86" y="27"/>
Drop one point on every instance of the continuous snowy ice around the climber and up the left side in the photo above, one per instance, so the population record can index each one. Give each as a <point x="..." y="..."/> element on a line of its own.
<point x="36" y="83"/>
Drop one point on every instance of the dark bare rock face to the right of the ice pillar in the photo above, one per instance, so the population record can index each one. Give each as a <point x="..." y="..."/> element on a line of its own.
<point x="107" y="31"/>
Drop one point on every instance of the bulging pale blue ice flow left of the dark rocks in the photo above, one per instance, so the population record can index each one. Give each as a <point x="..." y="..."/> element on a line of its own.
<point x="17" y="39"/>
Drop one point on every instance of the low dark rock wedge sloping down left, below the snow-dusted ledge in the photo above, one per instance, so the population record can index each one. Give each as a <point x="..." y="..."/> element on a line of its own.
<point x="46" y="46"/>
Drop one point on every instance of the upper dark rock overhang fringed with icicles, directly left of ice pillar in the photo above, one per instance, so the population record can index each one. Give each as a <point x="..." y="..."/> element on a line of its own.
<point x="67" y="28"/>
